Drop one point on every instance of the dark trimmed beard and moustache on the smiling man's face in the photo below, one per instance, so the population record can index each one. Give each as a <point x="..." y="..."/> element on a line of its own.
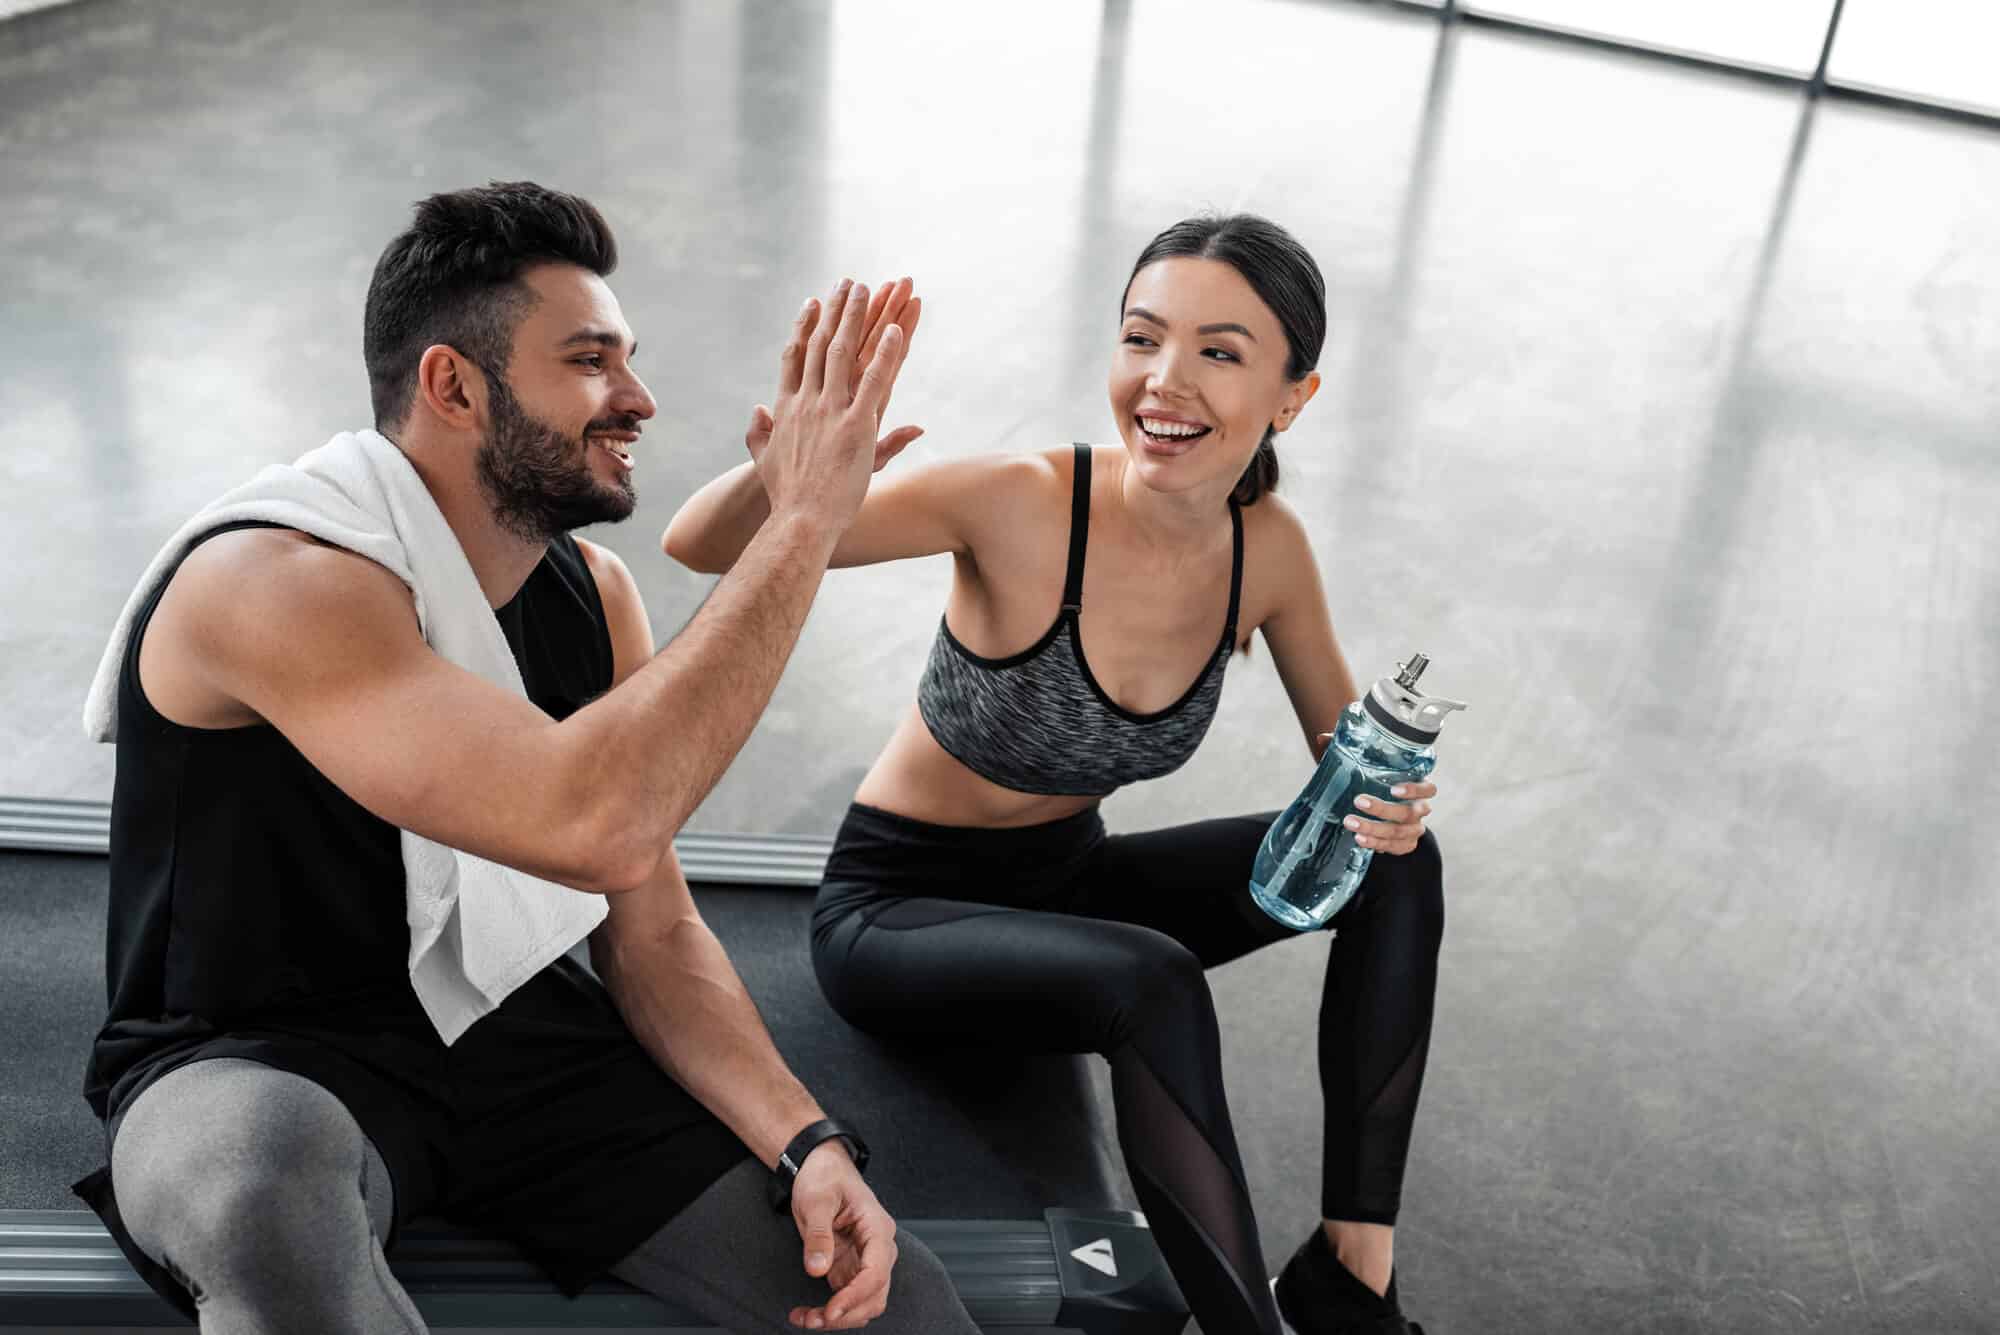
<point x="537" y="479"/>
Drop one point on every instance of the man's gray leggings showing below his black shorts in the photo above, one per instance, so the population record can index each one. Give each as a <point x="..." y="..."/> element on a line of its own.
<point x="261" y="1192"/>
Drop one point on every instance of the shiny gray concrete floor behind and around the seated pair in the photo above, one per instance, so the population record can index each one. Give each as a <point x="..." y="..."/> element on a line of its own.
<point x="1661" y="413"/>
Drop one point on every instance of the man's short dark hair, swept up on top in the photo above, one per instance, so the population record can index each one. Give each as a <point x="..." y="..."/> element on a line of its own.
<point x="455" y="279"/>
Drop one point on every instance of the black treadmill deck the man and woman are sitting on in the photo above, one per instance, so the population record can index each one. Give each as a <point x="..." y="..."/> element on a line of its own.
<point x="999" y="1162"/>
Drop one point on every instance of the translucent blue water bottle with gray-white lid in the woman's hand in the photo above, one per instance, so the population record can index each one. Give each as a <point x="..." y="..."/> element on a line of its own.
<point x="1311" y="864"/>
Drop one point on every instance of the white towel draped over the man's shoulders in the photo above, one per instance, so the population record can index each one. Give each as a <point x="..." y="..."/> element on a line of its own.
<point x="477" y="930"/>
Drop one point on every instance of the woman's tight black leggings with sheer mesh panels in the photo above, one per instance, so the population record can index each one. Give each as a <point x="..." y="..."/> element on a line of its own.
<point x="1061" y="938"/>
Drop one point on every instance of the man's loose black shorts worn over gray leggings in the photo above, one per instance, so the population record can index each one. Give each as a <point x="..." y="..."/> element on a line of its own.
<point x="547" y="1124"/>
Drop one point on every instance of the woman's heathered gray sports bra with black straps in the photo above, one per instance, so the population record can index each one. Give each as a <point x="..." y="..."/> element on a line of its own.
<point x="1039" y="722"/>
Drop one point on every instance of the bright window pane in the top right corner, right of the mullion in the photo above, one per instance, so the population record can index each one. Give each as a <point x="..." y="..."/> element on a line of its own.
<point x="1935" y="51"/>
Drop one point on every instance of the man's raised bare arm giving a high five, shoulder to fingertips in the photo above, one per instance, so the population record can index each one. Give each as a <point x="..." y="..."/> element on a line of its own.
<point x="323" y="645"/>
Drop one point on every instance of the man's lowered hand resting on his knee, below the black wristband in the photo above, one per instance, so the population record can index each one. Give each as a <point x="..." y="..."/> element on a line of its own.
<point x="851" y="1240"/>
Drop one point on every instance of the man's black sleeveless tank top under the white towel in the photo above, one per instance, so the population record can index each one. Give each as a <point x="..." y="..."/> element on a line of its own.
<point x="249" y="892"/>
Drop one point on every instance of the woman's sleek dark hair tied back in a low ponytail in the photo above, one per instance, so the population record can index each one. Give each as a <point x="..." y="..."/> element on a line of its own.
<point x="1283" y="275"/>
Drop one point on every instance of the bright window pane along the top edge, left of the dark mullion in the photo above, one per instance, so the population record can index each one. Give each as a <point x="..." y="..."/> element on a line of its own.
<point x="1773" y="35"/>
